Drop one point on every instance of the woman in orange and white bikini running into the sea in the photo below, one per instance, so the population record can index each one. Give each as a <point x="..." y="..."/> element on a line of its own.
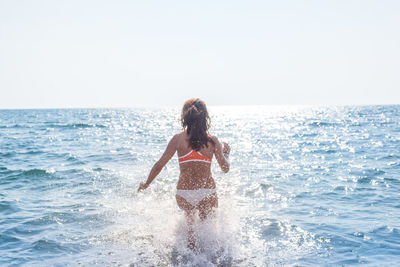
<point x="195" y="146"/>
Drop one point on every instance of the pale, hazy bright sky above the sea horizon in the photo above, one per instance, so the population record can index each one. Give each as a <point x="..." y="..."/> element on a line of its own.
<point x="67" y="54"/>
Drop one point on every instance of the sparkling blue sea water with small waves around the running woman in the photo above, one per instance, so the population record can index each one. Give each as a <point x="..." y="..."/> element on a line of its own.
<point x="308" y="186"/>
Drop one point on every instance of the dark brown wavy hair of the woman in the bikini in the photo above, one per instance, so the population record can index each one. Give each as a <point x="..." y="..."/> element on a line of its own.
<point x="196" y="122"/>
